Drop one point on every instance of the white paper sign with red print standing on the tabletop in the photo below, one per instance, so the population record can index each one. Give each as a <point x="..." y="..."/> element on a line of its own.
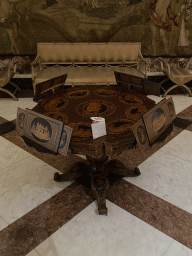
<point x="98" y="127"/>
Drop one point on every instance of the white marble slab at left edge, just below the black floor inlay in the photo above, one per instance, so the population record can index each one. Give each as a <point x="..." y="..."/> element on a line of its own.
<point x="10" y="154"/>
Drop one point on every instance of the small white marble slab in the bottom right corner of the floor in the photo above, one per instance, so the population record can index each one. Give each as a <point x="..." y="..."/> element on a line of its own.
<point x="177" y="249"/>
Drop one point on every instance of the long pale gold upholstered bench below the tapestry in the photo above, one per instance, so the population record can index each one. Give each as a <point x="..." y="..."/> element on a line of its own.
<point x="86" y="63"/>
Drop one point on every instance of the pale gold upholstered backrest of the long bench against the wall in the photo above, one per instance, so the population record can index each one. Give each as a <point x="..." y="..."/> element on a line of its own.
<point x="88" y="52"/>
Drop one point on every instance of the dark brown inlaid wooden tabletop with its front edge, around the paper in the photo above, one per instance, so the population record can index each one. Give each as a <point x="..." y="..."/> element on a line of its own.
<point x="120" y="107"/>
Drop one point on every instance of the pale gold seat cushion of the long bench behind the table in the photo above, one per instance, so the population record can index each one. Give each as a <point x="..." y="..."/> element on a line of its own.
<point x="86" y="75"/>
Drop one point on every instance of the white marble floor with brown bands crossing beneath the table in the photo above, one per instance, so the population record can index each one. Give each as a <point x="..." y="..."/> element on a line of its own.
<point x="149" y="215"/>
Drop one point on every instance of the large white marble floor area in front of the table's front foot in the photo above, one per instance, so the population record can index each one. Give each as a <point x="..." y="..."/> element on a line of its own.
<point x="119" y="233"/>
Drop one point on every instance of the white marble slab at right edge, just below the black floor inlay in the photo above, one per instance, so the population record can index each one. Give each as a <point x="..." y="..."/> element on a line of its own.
<point x="180" y="146"/>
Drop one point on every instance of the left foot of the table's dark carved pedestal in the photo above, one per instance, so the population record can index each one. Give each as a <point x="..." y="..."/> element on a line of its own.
<point x="77" y="171"/>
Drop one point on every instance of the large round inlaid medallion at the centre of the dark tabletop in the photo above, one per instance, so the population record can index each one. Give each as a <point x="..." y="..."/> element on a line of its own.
<point x="98" y="108"/>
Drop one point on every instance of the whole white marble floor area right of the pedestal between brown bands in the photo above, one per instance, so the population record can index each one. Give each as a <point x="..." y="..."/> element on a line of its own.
<point x="168" y="172"/>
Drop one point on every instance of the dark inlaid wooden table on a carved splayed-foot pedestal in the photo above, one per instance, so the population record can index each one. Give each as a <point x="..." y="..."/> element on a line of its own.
<point x="120" y="107"/>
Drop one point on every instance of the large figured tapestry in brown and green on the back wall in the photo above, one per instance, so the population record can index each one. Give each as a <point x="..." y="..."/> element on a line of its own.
<point x="163" y="26"/>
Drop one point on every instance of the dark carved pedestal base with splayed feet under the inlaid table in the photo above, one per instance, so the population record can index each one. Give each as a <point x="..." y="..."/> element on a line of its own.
<point x="98" y="169"/>
